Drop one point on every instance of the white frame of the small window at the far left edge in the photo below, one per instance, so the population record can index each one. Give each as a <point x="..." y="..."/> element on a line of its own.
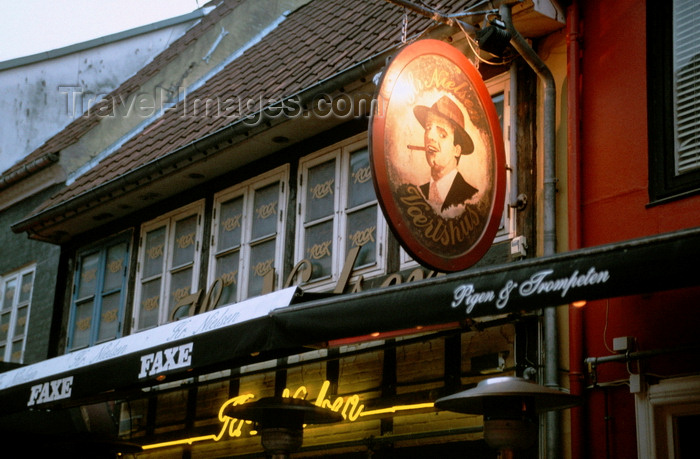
<point x="14" y="308"/>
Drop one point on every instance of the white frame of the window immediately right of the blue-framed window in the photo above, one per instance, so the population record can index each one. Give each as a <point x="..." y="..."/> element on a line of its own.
<point x="196" y="208"/>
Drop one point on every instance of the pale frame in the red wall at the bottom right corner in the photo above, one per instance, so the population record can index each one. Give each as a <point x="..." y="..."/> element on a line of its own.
<point x="656" y="408"/>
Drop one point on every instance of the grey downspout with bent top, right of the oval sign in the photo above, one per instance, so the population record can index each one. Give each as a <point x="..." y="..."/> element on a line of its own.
<point x="551" y="349"/>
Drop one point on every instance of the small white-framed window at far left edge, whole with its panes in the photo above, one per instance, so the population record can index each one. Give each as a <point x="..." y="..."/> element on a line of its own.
<point x="16" y="291"/>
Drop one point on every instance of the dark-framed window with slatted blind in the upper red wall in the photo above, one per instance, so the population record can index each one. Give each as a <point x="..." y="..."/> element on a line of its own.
<point x="673" y="54"/>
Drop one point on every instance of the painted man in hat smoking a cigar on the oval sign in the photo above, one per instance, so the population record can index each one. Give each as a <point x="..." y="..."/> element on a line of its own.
<point x="445" y="141"/>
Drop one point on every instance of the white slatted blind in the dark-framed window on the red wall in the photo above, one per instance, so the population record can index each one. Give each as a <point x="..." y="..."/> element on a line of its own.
<point x="686" y="66"/>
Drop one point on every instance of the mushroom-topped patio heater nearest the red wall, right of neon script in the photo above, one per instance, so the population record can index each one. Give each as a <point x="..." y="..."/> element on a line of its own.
<point x="510" y="406"/>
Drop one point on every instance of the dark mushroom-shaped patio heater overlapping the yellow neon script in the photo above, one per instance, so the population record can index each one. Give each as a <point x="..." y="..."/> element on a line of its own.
<point x="280" y="421"/>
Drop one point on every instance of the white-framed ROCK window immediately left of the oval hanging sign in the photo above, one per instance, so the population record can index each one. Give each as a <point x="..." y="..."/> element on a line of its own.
<point x="338" y="211"/>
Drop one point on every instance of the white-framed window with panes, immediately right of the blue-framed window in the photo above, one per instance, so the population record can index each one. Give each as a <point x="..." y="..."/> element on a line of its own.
<point x="169" y="254"/>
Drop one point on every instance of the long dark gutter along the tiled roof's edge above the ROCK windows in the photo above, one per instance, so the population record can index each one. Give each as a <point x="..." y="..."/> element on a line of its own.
<point x="211" y="142"/>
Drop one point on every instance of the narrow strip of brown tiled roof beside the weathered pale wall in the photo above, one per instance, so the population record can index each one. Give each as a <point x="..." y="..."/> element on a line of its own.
<point x="84" y="123"/>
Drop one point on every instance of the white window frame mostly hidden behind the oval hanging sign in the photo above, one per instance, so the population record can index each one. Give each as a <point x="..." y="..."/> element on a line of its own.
<point x="503" y="83"/>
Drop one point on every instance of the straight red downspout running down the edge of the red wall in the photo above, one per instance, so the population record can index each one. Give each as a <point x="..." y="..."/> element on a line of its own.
<point x="576" y="344"/>
